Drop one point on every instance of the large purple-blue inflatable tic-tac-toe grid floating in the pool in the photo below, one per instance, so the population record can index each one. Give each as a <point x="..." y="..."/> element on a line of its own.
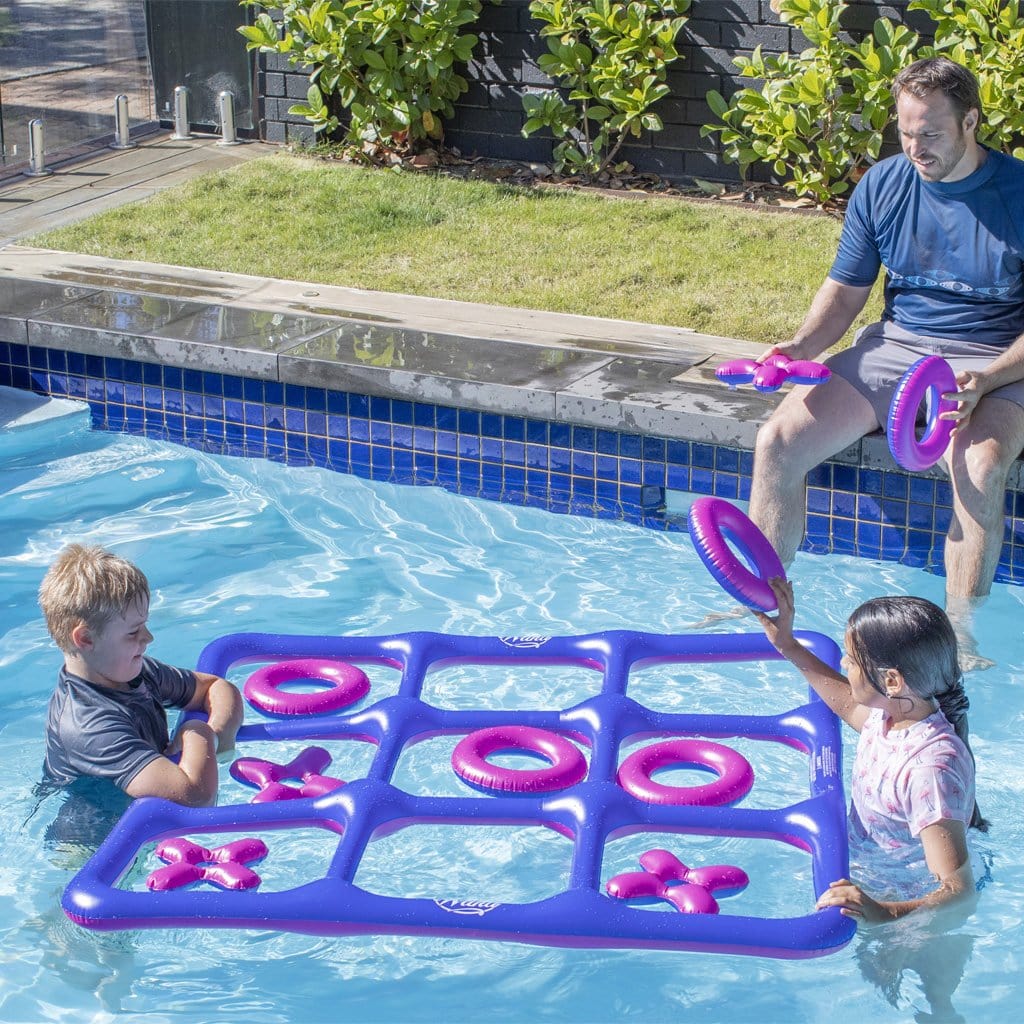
<point x="589" y="814"/>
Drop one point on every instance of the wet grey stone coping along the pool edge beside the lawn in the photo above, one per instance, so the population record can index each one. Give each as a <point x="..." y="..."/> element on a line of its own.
<point x="630" y="377"/>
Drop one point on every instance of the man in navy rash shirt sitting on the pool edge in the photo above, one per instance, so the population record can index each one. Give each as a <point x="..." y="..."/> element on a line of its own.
<point x="946" y="219"/>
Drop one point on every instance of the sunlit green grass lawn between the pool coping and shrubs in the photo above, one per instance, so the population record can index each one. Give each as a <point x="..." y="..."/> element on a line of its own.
<point x="740" y="274"/>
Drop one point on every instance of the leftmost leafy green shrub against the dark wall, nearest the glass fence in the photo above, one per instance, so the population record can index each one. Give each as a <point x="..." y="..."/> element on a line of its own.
<point x="390" y="64"/>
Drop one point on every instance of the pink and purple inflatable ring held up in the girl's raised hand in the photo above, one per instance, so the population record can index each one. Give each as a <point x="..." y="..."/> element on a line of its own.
<point x="712" y="522"/>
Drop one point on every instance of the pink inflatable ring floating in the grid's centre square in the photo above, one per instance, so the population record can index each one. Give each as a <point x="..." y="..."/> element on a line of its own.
<point x="568" y="766"/>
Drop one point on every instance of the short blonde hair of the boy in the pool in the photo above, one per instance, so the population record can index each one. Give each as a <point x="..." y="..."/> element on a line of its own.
<point x="89" y="585"/>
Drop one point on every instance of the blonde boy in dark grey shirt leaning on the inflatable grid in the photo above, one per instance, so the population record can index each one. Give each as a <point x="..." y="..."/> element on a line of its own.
<point x="107" y="716"/>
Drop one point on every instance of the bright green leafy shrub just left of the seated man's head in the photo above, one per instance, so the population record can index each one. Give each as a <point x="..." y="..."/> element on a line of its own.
<point x="819" y="118"/>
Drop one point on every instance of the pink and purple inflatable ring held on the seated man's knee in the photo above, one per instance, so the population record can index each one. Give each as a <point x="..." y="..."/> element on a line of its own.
<point x="929" y="379"/>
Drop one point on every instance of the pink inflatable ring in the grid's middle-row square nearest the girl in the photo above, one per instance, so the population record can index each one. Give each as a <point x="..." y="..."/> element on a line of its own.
<point x="736" y="777"/>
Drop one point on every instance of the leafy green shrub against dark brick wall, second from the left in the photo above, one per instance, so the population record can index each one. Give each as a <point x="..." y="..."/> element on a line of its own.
<point x="613" y="59"/>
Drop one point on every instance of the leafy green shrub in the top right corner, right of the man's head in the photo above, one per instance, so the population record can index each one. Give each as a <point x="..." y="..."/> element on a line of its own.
<point x="988" y="37"/>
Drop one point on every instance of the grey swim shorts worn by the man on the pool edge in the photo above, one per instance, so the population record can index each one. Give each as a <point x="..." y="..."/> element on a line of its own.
<point x="882" y="353"/>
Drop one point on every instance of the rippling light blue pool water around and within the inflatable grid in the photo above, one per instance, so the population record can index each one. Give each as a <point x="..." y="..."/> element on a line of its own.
<point x="233" y="545"/>
